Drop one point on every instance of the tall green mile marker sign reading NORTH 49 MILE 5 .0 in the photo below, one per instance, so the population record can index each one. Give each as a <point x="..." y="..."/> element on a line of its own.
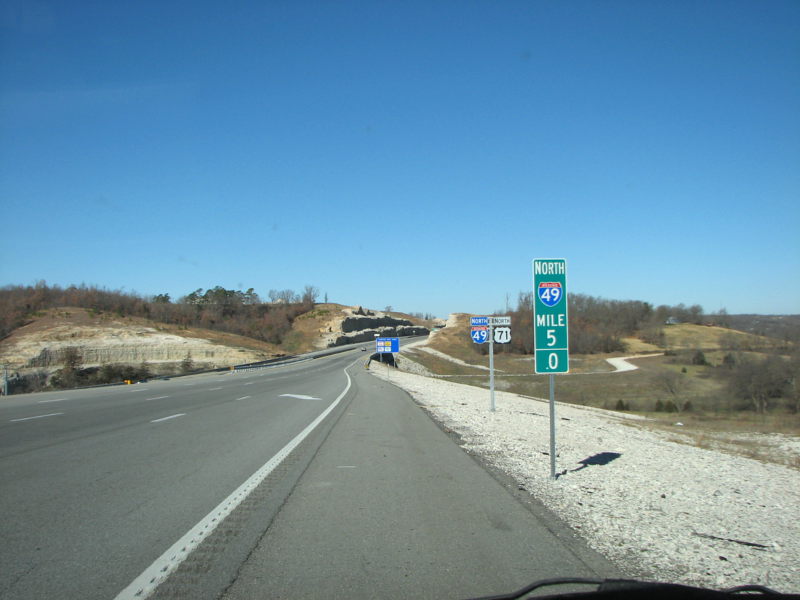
<point x="551" y="338"/>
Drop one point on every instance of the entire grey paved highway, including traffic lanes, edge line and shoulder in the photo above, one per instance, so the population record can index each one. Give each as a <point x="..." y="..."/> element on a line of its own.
<point x="104" y="490"/>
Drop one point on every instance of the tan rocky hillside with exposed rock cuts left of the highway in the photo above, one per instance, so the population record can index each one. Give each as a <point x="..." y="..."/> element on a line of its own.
<point x="102" y="338"/>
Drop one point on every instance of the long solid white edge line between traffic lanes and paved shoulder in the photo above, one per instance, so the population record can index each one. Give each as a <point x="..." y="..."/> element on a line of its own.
<point x="146" y="583"/>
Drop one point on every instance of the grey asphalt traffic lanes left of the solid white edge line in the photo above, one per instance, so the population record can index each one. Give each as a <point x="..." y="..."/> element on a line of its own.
<point x="96" y="484"/>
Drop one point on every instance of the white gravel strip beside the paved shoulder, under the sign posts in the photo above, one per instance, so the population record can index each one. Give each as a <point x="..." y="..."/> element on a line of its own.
<point x="658" y="509"/>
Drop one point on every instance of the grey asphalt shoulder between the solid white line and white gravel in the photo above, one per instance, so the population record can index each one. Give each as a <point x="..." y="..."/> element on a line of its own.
<point x="392" y="507"/>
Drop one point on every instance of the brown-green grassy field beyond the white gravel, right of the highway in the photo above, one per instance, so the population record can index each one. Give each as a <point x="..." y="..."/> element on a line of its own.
<point x="698" y="394"/>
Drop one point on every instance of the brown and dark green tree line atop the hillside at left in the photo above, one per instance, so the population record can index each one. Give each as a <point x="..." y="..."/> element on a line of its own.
<point x="217" y="308"/>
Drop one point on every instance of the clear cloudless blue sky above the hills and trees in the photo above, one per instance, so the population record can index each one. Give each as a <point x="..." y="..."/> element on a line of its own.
<point x="412" y="154"/>
